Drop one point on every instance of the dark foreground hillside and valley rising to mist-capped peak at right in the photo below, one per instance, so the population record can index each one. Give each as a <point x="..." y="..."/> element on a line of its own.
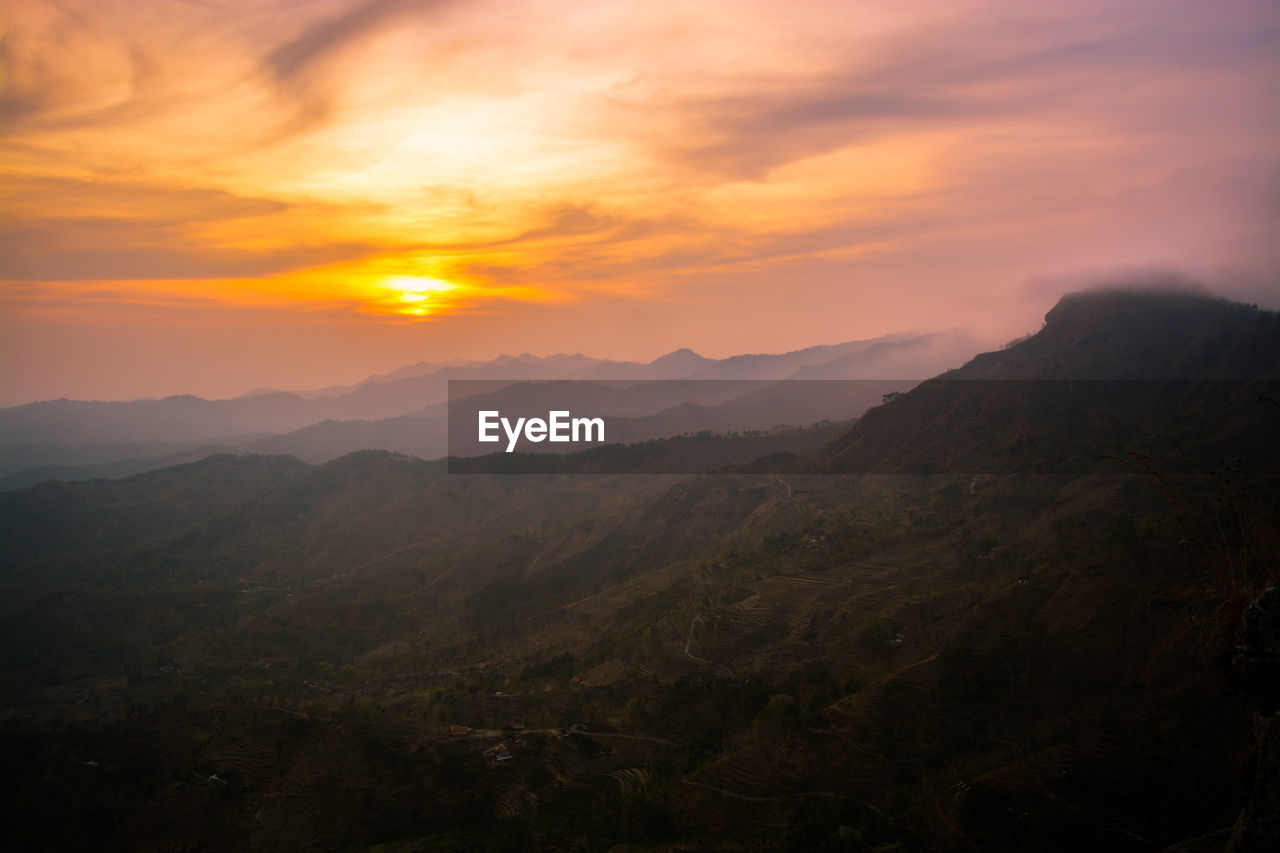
<point x="927" y="635"/>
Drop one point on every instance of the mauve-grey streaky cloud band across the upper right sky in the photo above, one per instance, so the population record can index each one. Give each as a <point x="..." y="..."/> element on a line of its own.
<point x="1101" y="65"/>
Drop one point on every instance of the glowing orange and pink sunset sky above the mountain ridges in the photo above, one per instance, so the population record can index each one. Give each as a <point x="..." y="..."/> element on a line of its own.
<point x="213" y="197"/>
